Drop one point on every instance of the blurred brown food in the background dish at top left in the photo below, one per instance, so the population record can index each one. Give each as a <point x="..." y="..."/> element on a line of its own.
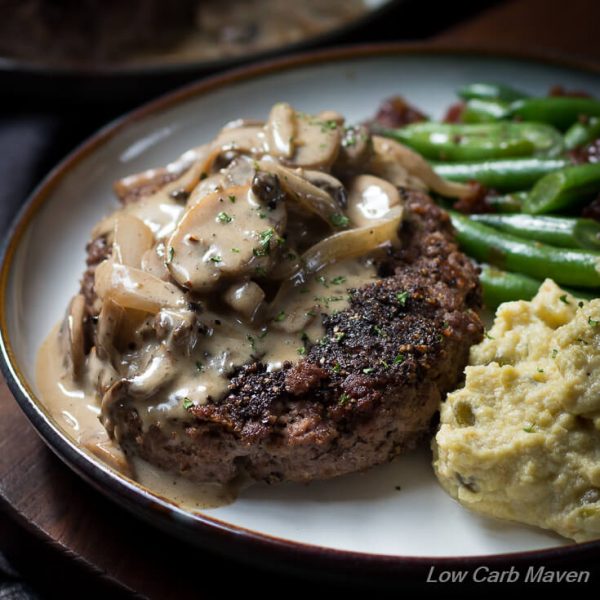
<point x="74" y="33"/>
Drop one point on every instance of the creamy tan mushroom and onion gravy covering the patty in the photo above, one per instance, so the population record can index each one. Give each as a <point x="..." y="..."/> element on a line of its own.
<point x="229" y="256"/>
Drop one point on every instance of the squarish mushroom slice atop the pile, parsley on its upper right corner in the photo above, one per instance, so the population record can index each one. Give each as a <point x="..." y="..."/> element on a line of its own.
<point x="317" y="142"/>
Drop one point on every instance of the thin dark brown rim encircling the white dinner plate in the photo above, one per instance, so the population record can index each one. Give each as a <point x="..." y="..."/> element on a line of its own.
<point x="201" y="529"/>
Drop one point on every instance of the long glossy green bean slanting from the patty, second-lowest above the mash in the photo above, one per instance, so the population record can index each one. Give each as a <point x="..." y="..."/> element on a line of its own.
<point x="485" y="244"/>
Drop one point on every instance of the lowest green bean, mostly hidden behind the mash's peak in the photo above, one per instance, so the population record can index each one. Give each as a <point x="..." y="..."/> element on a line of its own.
<point x="503" y="286"/>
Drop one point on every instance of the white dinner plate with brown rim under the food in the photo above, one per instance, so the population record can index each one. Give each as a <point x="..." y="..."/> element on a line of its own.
<point x="362" y="515"/>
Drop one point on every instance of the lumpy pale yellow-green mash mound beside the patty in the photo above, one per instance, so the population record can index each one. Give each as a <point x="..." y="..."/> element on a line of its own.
<point x="521" y="440"/>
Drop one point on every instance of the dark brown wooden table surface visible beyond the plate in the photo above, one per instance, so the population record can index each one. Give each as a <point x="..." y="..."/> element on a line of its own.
<point x="61" y="531"/>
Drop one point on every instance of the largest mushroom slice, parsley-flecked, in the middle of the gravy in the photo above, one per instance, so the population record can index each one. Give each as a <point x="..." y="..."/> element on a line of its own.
<point x="229" y="233"/>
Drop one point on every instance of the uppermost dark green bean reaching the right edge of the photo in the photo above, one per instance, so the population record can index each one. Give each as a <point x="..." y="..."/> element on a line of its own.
<point x="560" y="111"/>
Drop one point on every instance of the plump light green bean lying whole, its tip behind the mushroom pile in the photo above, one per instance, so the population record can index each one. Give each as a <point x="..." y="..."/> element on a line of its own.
<point x="480" y="141"/>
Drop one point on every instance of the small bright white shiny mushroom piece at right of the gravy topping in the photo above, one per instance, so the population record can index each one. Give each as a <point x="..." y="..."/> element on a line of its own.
<point x="370" y="198"/>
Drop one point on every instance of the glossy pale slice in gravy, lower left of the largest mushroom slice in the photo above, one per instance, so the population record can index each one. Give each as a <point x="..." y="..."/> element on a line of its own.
<point x="135" y="289"/>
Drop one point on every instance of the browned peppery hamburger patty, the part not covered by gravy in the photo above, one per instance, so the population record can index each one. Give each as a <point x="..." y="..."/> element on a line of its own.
<point x="364" y="394"/>
